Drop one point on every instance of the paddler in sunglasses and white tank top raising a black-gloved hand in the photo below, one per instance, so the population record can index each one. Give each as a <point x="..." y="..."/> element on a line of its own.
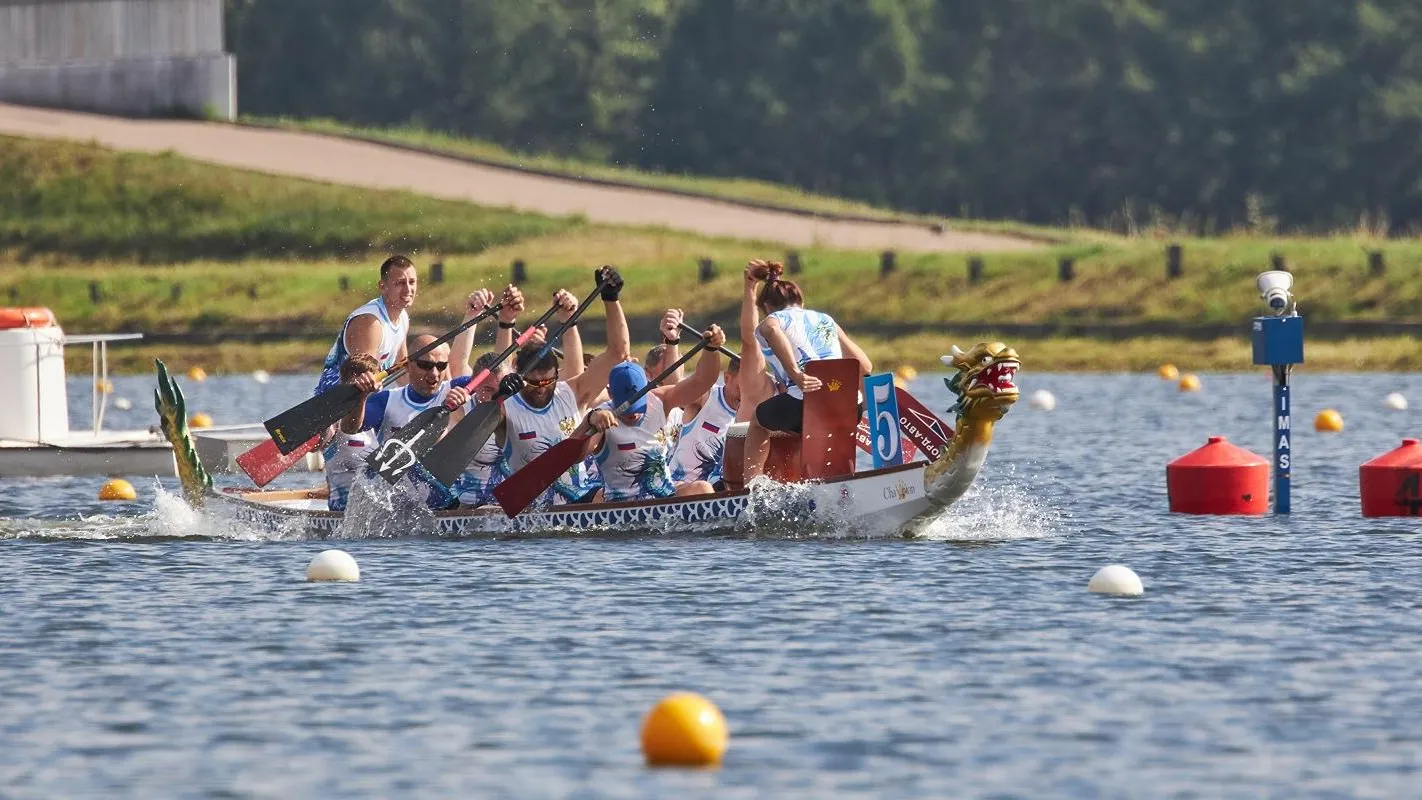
<point x="551" y="406"/>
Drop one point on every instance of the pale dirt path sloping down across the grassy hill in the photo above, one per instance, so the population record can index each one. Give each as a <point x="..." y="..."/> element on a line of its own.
<point x="360" y="164"/>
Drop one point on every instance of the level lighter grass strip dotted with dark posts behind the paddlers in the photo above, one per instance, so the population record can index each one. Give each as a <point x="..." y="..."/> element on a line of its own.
<point x="1114" y="286"/>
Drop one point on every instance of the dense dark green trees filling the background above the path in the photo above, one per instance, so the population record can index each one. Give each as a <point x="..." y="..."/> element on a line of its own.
<point x="1249" y="114"/>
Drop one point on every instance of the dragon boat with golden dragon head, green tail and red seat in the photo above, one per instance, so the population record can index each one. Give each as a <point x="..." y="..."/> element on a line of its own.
<point x="804" y="485"/>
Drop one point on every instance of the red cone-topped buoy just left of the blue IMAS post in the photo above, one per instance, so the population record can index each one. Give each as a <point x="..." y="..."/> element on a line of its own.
<point x="1218" y="480"/>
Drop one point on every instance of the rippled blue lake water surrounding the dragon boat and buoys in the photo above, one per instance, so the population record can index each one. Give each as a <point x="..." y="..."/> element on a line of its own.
<point x="147" y="654"/>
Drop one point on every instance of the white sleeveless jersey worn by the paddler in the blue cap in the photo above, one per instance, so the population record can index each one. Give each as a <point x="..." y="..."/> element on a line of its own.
<point x="634" y="458"/>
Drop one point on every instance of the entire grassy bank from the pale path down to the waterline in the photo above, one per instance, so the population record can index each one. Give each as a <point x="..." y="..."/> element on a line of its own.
<point x="163" y="245"/>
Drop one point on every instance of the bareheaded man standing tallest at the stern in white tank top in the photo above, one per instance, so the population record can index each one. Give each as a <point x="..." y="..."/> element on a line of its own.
<point x="380" y="326"/>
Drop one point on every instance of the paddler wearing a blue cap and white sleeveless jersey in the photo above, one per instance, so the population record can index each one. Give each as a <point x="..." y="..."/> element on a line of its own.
<point x="634" y="445"/>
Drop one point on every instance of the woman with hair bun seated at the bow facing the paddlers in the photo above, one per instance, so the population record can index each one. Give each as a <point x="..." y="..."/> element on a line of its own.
<point x="791" y="337"/>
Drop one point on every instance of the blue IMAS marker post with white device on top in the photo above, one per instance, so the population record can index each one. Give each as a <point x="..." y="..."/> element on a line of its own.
<point x="1279" y="343"/>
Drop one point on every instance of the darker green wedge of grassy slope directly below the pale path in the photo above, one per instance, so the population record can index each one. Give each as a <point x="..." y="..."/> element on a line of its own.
<point x="80" y="201"/>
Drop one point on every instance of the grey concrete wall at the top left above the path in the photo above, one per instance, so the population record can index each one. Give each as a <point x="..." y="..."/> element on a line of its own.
<point x="117" y="56"/>
